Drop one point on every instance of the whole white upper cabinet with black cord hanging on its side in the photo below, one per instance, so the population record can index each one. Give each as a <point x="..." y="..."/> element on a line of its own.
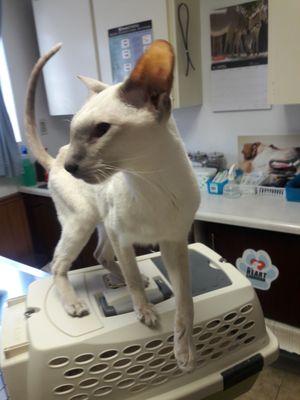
<point x="83" y="25"/>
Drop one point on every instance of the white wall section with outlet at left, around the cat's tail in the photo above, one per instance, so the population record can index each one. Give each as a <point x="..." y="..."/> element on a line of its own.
<point x="21" y="50"/>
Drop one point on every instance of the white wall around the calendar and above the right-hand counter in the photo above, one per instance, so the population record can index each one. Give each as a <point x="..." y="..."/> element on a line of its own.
<point x="205" y="130"/>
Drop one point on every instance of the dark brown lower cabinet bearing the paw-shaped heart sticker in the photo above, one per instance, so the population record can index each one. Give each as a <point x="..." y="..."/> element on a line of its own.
<point x="280" y="302"/>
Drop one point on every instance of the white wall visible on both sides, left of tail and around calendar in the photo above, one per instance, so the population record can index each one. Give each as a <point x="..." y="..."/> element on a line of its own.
<point x="200" y="127"/>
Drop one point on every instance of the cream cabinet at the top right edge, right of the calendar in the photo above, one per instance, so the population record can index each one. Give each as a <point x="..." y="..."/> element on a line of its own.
<point x="284" y="54"/>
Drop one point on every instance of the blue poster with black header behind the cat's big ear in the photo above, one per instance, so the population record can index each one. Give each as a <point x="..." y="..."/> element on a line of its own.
<point x="126" y="44"/>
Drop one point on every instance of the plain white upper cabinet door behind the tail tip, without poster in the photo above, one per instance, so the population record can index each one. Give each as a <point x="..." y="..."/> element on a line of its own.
<point x="70" y="22"/>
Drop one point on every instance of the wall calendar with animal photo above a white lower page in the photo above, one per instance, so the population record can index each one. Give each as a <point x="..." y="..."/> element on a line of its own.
<point x="239" y="56"/>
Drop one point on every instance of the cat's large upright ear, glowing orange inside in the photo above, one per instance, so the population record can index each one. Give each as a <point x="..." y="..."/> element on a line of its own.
<point x="150" y="82"/>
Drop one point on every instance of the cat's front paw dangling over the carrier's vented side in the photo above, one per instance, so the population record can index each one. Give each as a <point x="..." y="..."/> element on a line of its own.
<point x="184" y="350"/>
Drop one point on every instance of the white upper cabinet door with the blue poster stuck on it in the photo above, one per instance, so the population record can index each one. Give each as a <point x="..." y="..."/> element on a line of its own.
<point x="110" y="14"/>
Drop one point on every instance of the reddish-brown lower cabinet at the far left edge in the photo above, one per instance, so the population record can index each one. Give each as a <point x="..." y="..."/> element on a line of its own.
<point x="15" y="239"/>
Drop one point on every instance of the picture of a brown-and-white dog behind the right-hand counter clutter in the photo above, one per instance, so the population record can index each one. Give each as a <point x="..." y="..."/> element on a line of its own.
<point x="274" y="157"/>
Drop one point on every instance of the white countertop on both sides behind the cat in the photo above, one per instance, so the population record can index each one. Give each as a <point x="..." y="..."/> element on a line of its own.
<point x="252" y="211"/>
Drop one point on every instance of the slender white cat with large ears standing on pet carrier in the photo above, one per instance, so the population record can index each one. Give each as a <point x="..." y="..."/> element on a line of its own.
<point x="126" y="172"/>
